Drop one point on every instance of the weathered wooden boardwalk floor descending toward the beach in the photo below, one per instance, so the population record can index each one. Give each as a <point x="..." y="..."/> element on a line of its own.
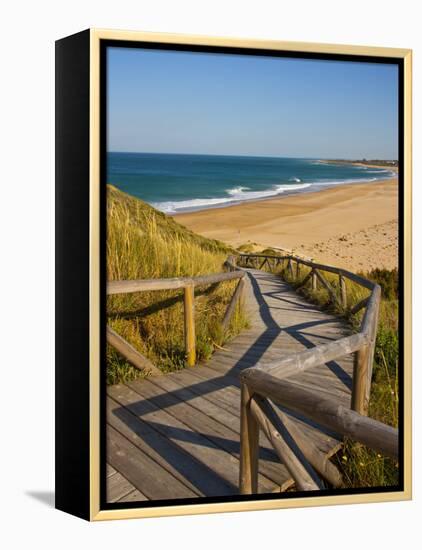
<point x="177" y="435"/>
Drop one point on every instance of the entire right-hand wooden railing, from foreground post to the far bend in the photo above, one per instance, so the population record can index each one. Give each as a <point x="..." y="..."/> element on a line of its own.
<point x="265" y="383"/>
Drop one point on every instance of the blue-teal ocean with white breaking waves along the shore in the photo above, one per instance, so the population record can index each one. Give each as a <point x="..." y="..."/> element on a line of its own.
<point x="176" y="183"/>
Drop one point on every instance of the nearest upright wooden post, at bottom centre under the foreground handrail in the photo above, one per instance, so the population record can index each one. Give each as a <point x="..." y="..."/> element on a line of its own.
<point x="249" y="444"/>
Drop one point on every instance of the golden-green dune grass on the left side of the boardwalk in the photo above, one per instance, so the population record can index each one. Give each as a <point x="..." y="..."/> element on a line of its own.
<point x="143" y="243"/>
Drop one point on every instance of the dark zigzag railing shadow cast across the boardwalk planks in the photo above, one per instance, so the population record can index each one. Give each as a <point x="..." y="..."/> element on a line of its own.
<point x="251" y="357"/>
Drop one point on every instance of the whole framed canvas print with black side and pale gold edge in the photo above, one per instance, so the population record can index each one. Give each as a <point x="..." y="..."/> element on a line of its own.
<point x="233" y="274"/>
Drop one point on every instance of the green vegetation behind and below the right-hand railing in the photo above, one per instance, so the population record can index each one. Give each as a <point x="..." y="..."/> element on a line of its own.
<point x="362" y="467"/>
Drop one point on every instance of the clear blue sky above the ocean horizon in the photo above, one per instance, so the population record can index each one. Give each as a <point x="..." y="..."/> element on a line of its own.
<point x="178" y="102"/>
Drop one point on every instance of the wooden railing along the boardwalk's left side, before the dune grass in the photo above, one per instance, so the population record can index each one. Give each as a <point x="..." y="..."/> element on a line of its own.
<point x="189" y="284"/>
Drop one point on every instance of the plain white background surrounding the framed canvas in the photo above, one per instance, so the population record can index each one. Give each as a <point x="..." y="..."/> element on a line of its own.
<point x="27" y="270"/>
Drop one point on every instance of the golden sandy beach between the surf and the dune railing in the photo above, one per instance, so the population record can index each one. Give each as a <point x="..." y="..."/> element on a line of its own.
<point x="351" y="226"/>
